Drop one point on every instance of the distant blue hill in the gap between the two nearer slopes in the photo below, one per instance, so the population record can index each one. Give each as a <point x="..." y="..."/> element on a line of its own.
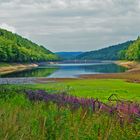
<point x="68" y="55"/>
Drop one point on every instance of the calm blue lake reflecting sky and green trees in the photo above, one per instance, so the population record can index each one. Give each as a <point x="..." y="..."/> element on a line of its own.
<point x="68" y="70"/>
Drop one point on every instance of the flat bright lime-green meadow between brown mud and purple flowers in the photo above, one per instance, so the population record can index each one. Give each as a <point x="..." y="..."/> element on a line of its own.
<point x="100" y="89"/>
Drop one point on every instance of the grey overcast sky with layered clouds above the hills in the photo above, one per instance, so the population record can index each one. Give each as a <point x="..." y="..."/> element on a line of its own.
<point x="72" y="25"/>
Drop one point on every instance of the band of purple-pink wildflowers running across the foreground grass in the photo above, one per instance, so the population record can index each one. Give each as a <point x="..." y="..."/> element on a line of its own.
<point x="121" y="108"/>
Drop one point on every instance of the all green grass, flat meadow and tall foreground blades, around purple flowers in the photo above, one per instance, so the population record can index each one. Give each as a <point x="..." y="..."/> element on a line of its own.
<point x="23" y="119"/>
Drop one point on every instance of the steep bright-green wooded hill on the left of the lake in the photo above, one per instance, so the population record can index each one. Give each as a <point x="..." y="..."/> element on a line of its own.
<point x="14" y="48"/>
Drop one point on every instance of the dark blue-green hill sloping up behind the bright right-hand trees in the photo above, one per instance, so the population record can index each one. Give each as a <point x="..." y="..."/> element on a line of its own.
<point x="110" y="53"/>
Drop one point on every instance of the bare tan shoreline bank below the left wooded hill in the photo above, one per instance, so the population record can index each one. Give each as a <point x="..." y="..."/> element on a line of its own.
<point x="16" y="67"/>
